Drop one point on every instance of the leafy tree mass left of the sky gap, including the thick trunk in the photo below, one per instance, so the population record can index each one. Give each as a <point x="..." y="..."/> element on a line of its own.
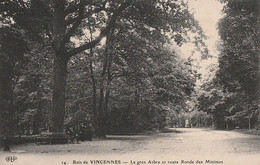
<point x="102" y="62"/>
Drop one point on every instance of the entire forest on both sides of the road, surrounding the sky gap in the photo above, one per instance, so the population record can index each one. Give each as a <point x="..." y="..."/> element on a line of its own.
<point x="112" y="65"/>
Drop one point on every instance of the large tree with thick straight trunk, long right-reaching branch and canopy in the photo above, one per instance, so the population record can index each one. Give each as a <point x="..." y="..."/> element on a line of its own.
<point x="65" y="23"/>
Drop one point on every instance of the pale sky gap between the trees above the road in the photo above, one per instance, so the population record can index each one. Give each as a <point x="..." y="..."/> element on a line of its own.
<point x="208" y="13"/>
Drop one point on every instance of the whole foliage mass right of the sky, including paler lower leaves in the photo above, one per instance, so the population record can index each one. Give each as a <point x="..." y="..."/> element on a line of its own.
<point x="232" y="96"/>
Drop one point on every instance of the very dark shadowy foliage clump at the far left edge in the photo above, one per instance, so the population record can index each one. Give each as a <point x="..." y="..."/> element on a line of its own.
<point x="12" y="58"/>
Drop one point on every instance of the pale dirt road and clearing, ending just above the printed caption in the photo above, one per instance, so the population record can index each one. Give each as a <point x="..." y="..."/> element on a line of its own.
<point x="176" y="141"/>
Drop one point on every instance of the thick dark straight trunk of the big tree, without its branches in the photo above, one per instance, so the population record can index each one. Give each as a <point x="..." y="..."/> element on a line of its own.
<point x="60" y="66"/>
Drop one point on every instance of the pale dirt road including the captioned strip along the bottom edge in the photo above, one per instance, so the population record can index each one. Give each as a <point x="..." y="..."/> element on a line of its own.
<point x="183" y="146"/>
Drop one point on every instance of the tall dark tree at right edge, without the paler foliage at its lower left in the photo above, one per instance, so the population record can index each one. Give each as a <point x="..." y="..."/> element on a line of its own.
<point x="239" y="57"/>
